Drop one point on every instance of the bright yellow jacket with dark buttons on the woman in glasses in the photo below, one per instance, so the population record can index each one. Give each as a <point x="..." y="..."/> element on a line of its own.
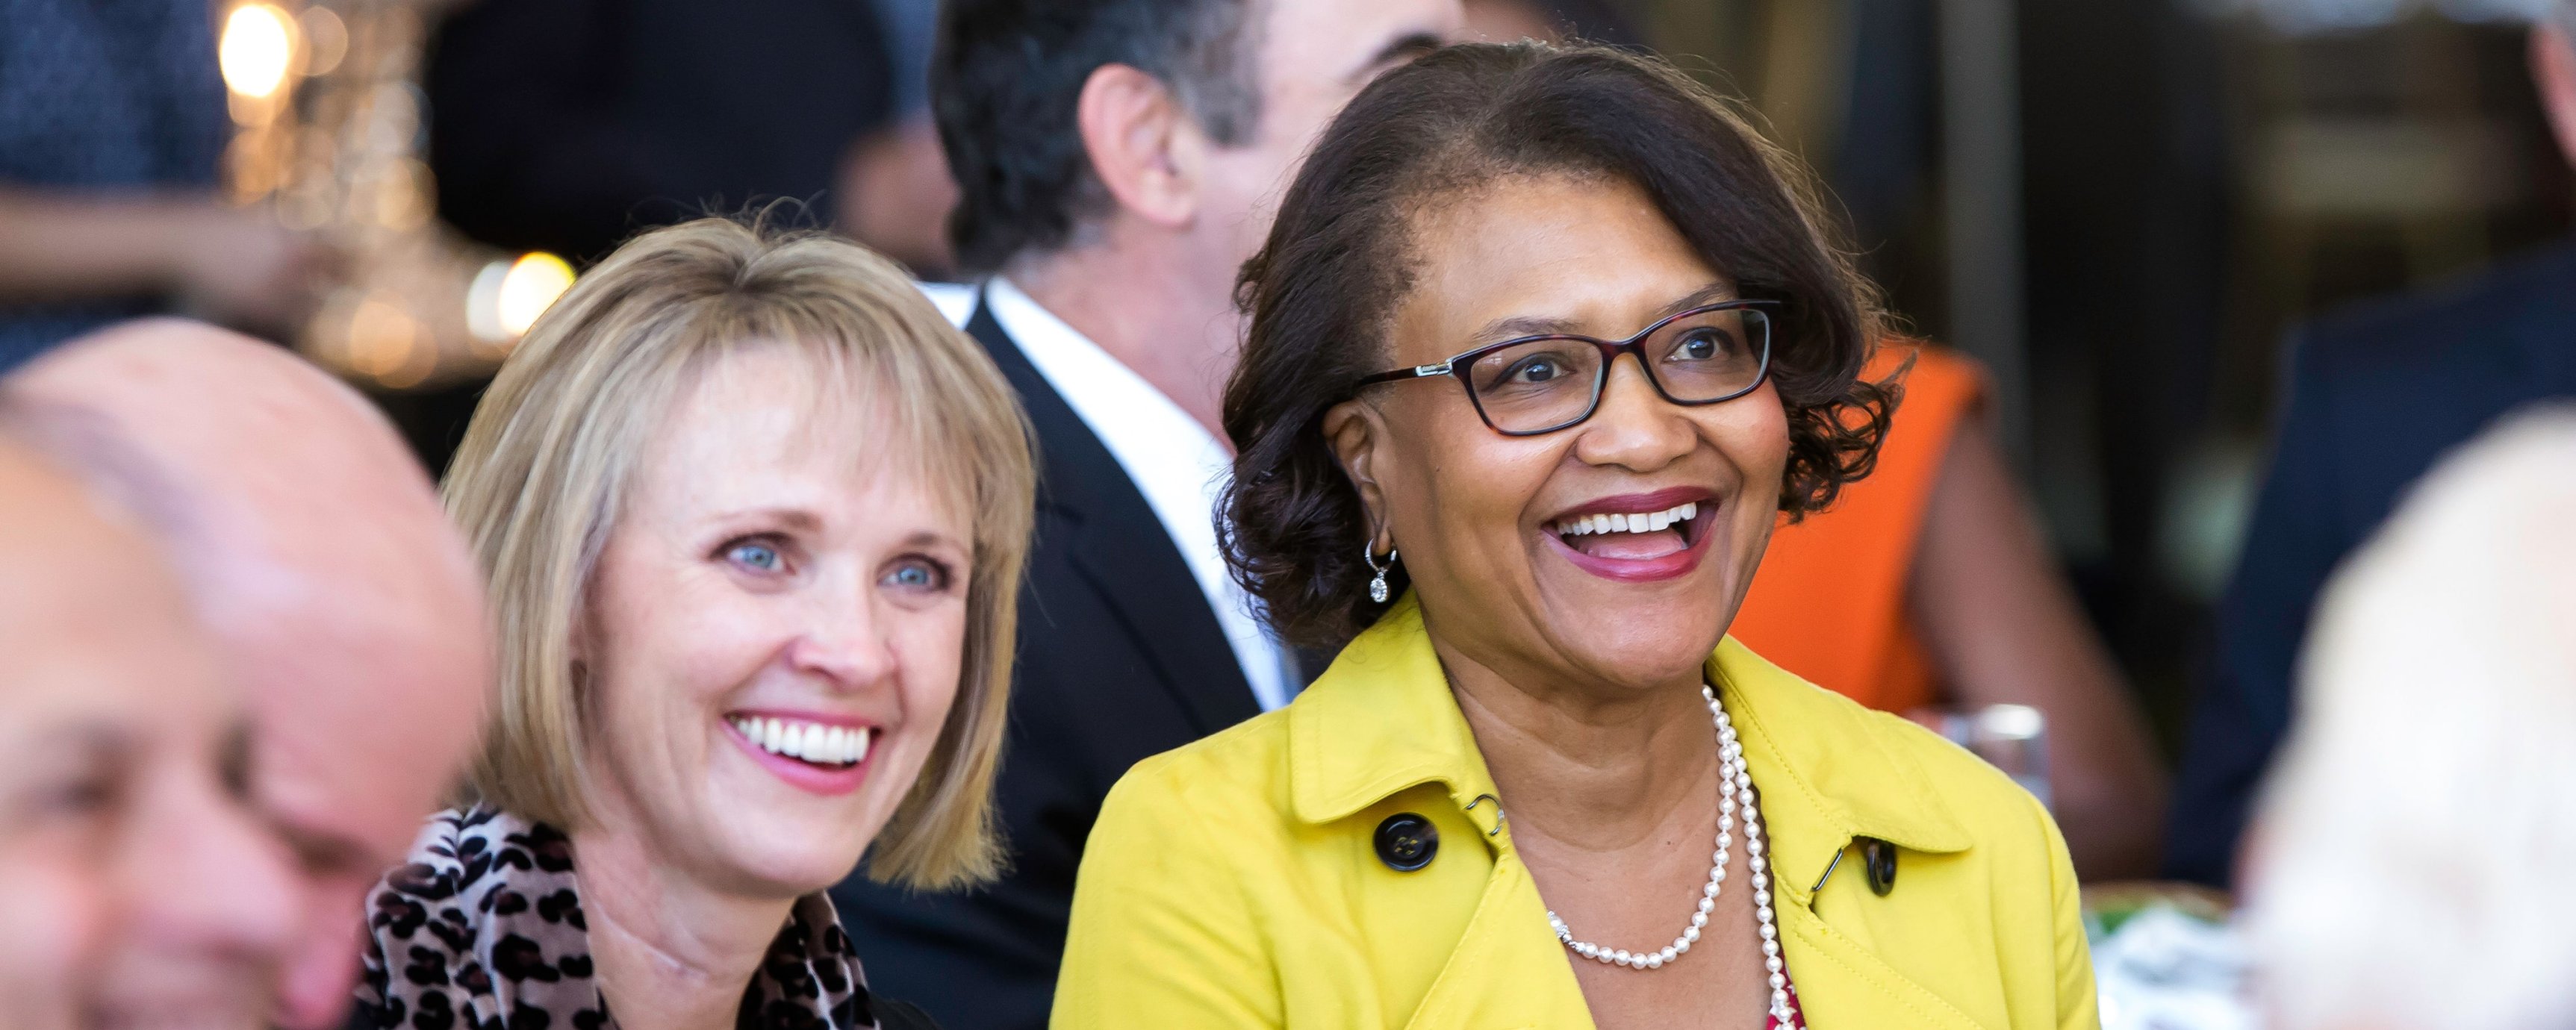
<point x="1238" y="885"/>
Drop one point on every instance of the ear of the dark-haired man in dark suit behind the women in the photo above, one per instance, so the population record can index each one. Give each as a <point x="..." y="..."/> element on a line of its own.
<point x="1142" y="145"/>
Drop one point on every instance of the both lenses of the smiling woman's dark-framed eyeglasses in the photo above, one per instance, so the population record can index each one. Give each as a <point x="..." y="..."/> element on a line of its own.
<point x="1542" y="385"/>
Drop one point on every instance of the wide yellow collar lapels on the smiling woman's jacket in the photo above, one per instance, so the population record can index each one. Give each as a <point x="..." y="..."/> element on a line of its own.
<point x="1385" y="720"/>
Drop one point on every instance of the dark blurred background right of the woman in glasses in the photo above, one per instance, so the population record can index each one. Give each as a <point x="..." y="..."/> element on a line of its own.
<point x="2121" y="207"/>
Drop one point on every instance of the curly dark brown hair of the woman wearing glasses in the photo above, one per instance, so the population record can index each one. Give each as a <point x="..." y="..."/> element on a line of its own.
<point x="1341" y="259"/>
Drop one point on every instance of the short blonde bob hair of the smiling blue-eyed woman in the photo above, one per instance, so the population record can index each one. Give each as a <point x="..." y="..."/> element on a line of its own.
<point x="545" y="467"/>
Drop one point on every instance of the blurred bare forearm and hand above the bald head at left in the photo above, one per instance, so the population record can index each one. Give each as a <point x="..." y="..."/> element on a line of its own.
<point x="233" y="267"/>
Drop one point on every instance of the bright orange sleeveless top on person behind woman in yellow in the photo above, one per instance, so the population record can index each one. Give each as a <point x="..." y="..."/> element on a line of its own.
<point x="1830" y="596"/>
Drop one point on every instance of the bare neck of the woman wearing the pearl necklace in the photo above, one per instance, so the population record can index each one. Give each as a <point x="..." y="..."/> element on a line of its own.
<point x="1588" y="766"/>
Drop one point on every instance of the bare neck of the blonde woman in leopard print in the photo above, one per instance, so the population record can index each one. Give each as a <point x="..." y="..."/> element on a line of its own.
<point x="671" y="951"/>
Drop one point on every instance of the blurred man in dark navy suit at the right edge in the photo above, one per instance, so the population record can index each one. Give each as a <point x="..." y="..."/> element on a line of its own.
<point x="2376" y="398"/>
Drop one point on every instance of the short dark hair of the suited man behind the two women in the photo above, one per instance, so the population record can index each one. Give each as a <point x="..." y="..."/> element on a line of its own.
<point x="1009" y="76"/>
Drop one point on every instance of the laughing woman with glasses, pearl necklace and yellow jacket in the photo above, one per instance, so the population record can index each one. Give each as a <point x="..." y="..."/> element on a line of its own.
<point x="1542" y="346"/>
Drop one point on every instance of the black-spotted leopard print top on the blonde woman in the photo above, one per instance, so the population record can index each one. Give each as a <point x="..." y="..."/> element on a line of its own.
<point x="483" y="931"/>
